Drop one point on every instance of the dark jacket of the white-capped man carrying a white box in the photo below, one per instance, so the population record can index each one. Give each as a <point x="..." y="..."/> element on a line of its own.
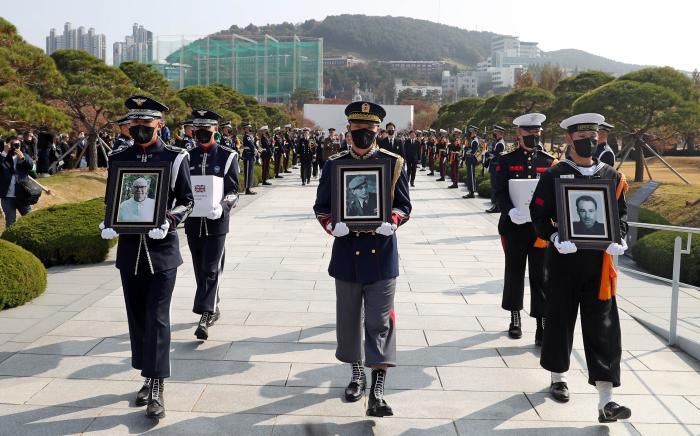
<point x="518" y="164"/>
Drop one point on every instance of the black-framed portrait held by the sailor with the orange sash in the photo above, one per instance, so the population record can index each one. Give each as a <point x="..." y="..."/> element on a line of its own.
<point x="587" y="212"/>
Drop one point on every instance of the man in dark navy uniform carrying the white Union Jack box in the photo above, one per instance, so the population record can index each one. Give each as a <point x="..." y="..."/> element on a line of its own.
<point x="206" y="235"/>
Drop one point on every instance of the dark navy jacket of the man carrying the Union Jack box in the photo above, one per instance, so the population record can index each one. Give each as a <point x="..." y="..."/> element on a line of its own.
<point x="220" y="161"/>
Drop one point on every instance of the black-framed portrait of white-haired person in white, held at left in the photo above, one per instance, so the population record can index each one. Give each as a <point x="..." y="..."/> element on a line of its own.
<point x="119" y="211"/>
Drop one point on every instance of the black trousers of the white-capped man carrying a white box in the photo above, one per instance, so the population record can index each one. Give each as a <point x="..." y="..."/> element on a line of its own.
<point x="518" y="246"/>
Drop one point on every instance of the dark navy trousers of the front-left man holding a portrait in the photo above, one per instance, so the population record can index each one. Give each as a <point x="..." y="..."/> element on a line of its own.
<point x="147" y="297"/>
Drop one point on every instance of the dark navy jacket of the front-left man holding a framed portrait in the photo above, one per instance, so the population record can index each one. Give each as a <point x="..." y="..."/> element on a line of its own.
<point x="161" y="254"/>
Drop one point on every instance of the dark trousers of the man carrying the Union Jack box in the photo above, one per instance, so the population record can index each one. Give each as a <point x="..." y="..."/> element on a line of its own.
<point x="208" y="253"/>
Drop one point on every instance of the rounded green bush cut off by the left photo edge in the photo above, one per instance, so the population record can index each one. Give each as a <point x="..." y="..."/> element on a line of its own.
<point x="22" y="276"/>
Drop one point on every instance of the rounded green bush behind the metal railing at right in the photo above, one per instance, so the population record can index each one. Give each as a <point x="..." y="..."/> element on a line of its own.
<point x="654" y="252"/>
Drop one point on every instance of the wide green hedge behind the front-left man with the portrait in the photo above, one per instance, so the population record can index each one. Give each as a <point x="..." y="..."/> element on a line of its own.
<point x="63" y="234"/>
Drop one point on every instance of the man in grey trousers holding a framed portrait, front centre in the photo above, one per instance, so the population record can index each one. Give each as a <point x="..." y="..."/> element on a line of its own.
<point x="365" y="265"/>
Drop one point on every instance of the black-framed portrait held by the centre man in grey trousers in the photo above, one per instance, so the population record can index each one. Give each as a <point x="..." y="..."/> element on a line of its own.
<point x="348" y="178"/>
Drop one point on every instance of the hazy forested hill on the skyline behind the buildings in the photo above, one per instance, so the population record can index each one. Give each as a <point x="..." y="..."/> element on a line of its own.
<point x="400" y="38"/>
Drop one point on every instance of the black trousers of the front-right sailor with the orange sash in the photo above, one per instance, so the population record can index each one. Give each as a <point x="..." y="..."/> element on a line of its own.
<point x="574" y="281"/>
